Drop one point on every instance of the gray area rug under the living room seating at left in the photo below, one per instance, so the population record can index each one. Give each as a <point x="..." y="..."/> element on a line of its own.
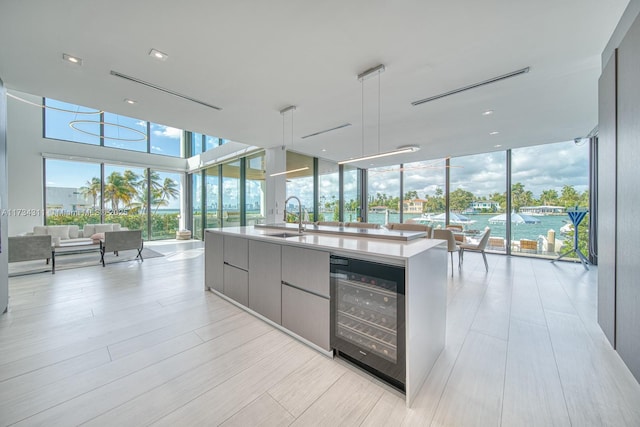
<point x="88" y="259"/>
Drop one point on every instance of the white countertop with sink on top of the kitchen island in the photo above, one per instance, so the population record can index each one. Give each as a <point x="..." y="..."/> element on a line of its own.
<point x="399" y="250"/>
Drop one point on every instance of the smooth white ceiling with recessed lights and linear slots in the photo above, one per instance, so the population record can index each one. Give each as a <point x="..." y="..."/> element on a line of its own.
<point x="253" y="58"/>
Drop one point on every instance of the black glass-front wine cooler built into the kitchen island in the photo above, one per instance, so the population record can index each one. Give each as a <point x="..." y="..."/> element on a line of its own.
<point x="368" y="317"/>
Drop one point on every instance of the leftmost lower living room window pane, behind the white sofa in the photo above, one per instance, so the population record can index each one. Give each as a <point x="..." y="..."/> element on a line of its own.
<point x="72" y="198"/>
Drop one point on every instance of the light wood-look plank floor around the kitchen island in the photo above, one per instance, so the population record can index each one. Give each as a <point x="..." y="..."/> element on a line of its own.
<point x="142" y="344"/>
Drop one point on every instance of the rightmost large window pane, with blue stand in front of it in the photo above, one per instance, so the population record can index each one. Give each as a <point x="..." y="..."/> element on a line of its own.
<point x="547" y="180"/>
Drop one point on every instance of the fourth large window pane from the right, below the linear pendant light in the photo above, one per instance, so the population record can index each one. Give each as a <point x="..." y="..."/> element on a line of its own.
<point x="383" y="194"/>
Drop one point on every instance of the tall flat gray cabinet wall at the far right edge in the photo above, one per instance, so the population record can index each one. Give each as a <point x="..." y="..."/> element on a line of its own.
<point x="618" y="174"/>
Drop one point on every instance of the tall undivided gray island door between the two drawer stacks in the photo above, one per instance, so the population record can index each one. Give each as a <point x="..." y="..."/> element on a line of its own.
<point x="264" y="279"/>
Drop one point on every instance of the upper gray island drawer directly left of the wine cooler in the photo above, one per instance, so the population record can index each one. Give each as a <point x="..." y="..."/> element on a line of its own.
<point x="306" y="269"/>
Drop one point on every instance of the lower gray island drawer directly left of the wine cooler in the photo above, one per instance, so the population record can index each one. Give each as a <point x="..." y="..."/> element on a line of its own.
<point x="306" y="315"/>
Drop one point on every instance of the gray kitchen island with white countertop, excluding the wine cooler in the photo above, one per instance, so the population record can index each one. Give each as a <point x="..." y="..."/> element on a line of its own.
<point x="284" y="278"/>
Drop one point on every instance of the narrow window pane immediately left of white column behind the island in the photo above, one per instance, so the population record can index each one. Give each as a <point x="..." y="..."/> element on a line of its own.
<point x="255" y="188"/>
